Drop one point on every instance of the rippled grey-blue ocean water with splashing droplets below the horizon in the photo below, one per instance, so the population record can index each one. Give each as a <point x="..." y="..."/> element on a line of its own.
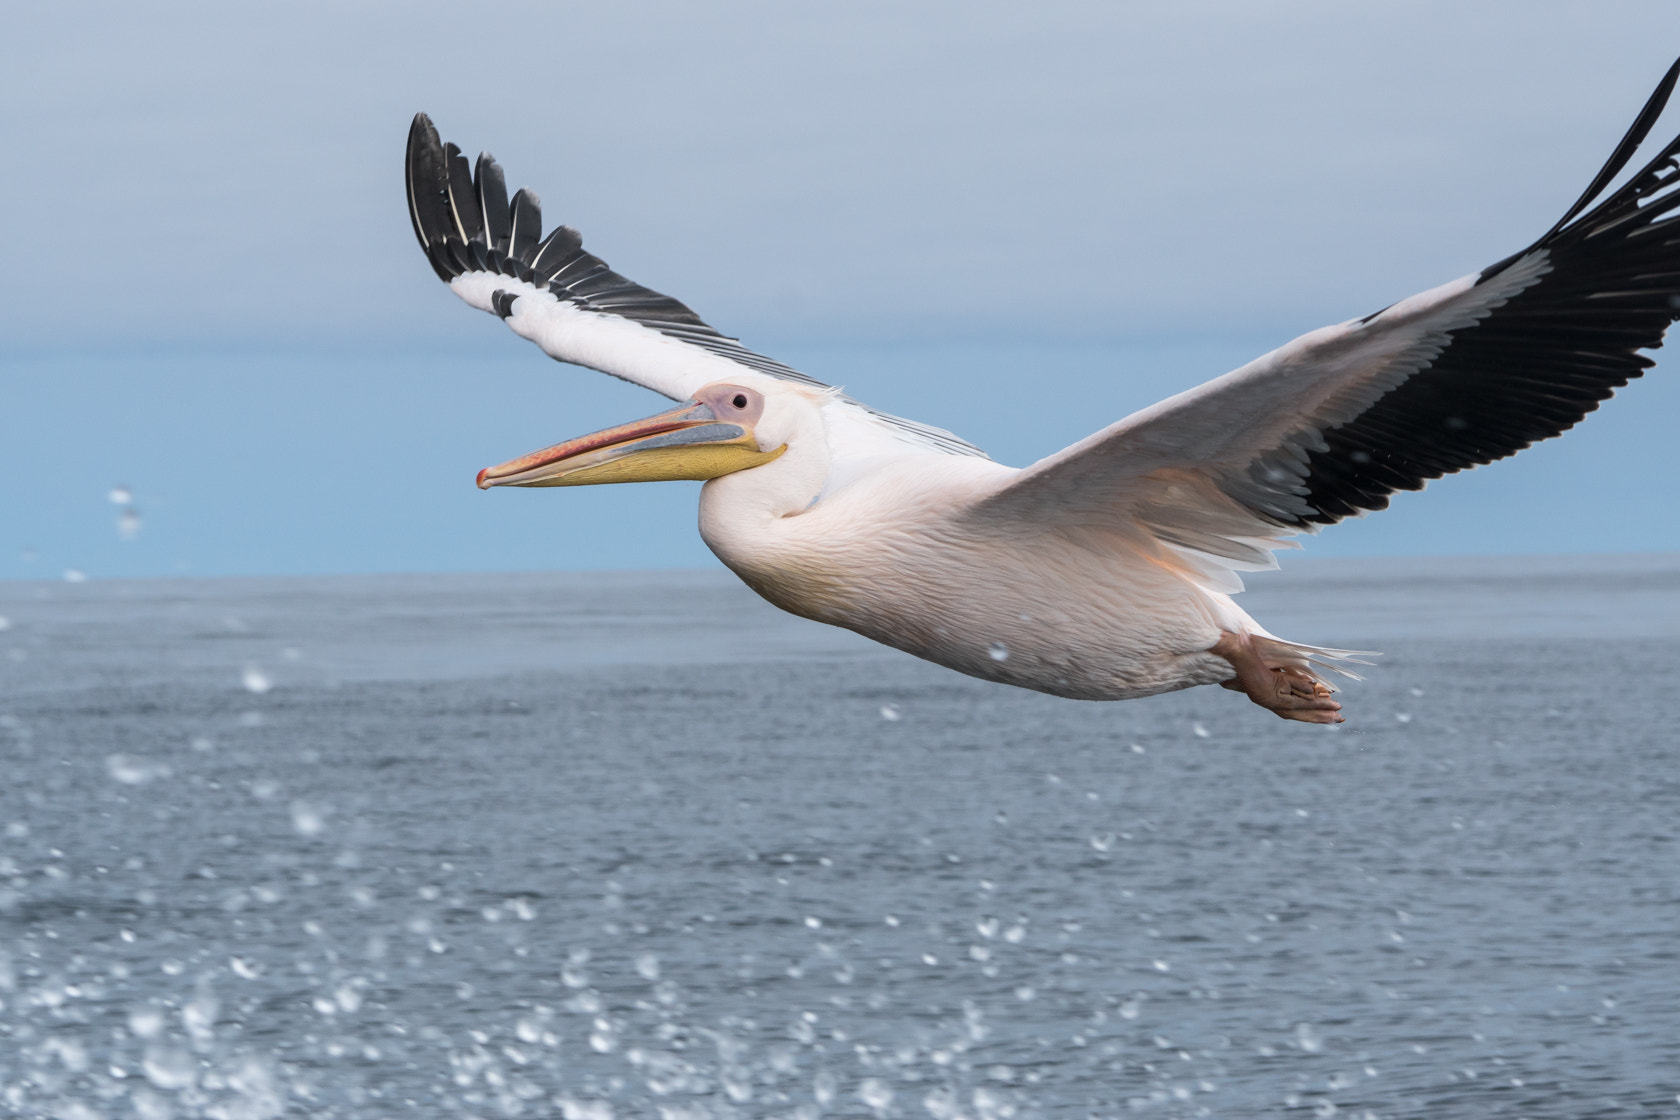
<point x="638" y="845"/>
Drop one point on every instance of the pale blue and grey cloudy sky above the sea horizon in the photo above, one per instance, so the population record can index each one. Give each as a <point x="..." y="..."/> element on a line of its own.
<point x="216" y="298"/>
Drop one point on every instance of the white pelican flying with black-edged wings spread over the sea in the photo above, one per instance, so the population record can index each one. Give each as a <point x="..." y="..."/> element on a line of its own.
<point x="1105" y="572"/>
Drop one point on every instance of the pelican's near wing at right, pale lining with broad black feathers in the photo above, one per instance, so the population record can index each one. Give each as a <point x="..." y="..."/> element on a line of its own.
<point x="1335" y="422"/>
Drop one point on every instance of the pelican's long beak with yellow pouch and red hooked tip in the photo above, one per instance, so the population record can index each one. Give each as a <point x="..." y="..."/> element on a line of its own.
<point x="688" y="442"/>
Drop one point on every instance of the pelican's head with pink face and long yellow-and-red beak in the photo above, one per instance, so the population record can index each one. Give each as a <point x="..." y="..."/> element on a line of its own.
<point x="727" y="427"/>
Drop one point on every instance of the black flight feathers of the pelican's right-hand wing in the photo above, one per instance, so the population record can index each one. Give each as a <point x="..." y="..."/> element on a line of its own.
<point x="1543" y="360"/>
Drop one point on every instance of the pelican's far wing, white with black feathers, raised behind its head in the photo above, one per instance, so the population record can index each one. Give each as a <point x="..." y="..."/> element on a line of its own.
<point x="549" y="290"/>
